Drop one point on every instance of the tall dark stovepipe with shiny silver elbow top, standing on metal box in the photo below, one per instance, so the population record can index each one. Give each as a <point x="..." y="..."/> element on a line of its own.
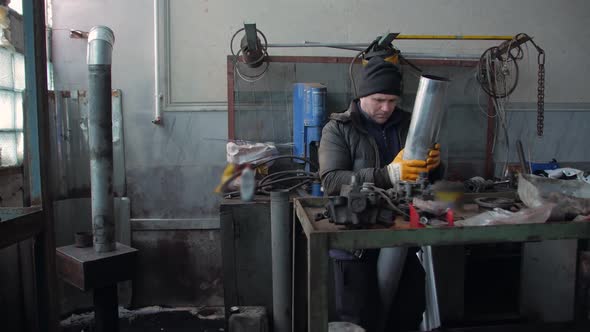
<point x="100" y="136"/>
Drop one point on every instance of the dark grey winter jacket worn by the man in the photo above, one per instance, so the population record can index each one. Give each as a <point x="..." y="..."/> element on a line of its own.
<point x="346" y="148"/>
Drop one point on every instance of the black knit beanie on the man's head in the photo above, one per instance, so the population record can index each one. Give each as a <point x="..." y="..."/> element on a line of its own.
<point x="380" y="76"/>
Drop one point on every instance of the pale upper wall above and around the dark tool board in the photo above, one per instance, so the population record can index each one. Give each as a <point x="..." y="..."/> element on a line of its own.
<point x="200" y="32"/>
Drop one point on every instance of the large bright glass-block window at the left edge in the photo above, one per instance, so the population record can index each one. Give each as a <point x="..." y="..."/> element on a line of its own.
<point x="12" y="84"/>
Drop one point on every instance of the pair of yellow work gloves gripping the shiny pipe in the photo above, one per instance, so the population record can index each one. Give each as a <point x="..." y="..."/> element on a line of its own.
<point x="409" y="170"/>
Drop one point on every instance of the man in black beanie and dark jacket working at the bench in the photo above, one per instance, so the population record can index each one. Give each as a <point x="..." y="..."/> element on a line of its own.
<point x="367" y="141"/>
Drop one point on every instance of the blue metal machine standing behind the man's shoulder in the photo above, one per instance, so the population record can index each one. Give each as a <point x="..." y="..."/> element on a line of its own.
<point x="309" y="117"/>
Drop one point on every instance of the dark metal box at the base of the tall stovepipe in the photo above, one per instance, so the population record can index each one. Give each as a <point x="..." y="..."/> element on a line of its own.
<point x="86" y="269"/>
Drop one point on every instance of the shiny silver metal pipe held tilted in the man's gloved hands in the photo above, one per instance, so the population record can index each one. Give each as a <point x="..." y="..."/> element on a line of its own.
<point x="426" y="117"/>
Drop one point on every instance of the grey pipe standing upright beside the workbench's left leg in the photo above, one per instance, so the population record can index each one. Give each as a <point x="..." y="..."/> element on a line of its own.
<point x="280" y="229"/>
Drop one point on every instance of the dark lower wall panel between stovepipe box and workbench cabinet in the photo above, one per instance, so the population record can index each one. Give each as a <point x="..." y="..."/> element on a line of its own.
<point x="178" y="268"/>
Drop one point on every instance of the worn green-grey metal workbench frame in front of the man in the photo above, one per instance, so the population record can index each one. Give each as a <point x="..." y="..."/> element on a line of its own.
<point x="312" y="239"/>
